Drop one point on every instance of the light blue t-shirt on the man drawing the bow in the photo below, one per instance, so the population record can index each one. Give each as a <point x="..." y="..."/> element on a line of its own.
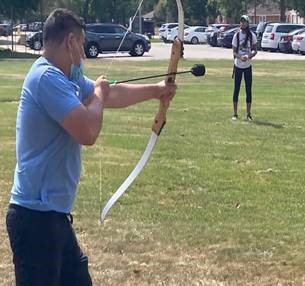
<point x="48" y="157"/>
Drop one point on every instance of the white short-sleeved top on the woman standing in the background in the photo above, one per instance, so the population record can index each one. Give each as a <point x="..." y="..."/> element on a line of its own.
<point x="243" y="50"/>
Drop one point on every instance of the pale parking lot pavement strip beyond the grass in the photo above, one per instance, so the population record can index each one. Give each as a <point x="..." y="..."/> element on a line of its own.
<point x="161" y="51"/>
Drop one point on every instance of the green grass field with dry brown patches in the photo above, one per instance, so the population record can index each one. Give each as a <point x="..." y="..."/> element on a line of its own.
<point x="219" y="202"/>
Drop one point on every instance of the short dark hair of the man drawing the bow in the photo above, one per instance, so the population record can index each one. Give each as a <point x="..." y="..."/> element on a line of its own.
<point x="60" y="23"/>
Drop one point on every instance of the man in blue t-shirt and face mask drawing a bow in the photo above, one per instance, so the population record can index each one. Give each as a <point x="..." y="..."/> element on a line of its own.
<point x="60" y="109"/>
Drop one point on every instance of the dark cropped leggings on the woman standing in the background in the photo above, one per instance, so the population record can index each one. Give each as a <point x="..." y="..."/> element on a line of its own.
<point x="248" y="83"/>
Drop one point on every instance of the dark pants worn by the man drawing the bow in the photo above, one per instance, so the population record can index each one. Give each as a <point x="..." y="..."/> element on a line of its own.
<point x="45" y="249"/>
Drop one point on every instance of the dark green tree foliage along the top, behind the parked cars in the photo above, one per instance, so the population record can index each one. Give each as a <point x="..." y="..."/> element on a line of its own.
<point x="196" y="11"/>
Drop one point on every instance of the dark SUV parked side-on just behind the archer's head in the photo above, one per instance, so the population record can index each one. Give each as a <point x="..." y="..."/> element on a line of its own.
<point x="102" y="38"/>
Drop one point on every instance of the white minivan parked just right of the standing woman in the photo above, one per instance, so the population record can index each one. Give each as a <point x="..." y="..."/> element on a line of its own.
<point x="273" y="33"/>
